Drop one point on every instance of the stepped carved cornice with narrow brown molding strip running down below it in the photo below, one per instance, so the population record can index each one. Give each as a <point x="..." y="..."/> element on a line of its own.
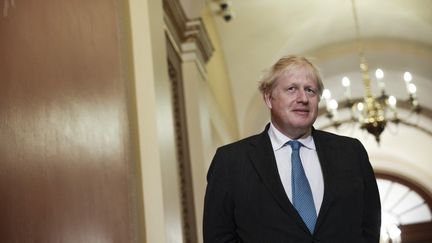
<point x="186" y="40"/>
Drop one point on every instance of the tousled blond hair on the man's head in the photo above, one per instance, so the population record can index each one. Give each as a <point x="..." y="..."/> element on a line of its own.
<point x="290" y="64"/>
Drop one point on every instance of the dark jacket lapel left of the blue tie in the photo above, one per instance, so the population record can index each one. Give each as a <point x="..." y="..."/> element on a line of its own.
<point x="264" y="162"/>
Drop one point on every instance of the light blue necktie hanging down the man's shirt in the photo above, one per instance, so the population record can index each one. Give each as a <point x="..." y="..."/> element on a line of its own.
<point x="301" y="192"/>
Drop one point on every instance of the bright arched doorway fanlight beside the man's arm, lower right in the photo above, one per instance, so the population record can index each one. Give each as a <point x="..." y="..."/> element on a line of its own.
<point x="406" y="209"/>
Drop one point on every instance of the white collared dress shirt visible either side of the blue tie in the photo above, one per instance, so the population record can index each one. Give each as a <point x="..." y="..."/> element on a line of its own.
<point x="310" y="162"/>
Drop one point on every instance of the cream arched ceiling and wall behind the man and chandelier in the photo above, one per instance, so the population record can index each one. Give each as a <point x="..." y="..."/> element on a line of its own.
<point x="397" y="37"/>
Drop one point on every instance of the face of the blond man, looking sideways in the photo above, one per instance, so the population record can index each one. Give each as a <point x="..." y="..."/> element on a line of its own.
<point x="294" y="104"/>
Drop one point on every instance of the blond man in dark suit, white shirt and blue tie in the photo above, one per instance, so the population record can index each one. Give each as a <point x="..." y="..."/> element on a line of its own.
<point x="267" y="189"/>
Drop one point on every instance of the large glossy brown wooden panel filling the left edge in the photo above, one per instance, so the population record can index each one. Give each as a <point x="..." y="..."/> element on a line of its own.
<point x="64" y="142"/>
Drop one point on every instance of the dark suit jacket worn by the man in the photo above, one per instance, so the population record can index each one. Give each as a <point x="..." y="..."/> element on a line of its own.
<point x="246" y="202"/>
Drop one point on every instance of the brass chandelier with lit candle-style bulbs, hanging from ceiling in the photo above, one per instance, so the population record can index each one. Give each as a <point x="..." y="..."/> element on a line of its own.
<point x="371" y="112"/>
